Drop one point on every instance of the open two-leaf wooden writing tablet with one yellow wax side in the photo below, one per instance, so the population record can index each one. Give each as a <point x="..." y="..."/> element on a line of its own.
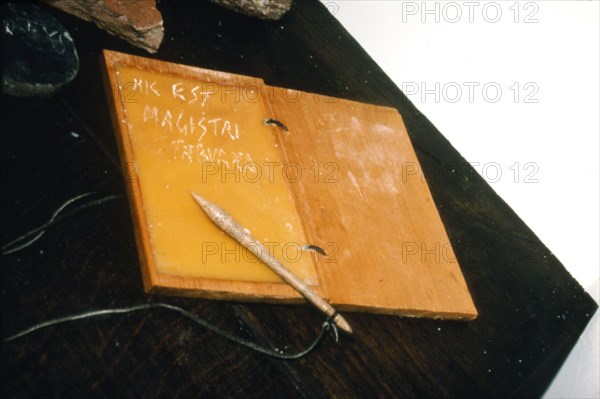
<point x="296" y="169"/>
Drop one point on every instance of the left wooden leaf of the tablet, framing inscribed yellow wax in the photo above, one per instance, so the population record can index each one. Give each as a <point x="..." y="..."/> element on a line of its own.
<point x="183" y="129"/>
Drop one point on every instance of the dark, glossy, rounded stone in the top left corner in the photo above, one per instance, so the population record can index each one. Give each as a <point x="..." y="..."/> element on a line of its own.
<point x="38" y="54"/>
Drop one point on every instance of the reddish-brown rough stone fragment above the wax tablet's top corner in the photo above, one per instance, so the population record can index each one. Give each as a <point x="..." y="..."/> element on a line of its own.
<point x="137" y="21"/>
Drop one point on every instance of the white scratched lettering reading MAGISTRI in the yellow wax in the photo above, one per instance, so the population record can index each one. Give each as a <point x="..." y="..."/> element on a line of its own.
<point x="187" y="115"/>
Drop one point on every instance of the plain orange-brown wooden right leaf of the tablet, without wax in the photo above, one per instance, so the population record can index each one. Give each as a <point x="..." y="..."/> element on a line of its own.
<point x="372" y="204"/>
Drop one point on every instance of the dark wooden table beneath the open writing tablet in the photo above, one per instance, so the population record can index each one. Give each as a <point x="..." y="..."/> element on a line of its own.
<point x="531" y="311"/>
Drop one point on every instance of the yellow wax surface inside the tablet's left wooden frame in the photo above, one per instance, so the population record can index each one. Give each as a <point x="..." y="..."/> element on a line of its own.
<point x="210" y="138"/>
